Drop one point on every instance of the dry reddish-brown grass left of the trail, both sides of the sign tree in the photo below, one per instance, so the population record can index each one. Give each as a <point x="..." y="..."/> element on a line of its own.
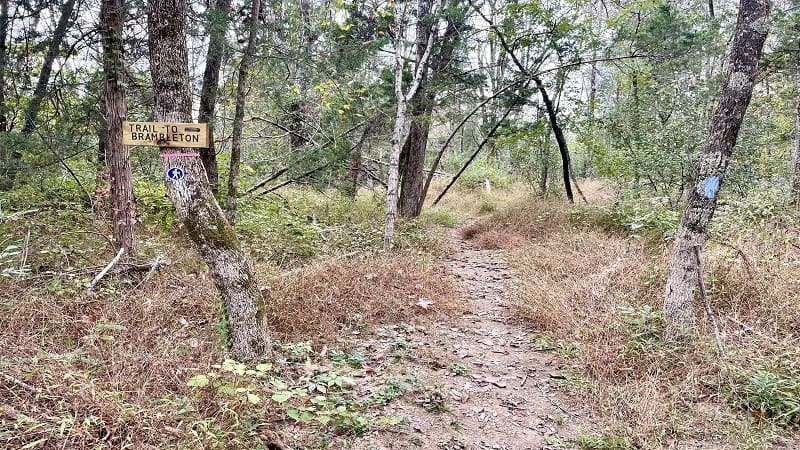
<point x="109" y="369"/>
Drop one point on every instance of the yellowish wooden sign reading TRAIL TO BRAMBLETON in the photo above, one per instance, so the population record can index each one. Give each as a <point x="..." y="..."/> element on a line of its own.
<point x="165" y="134"/>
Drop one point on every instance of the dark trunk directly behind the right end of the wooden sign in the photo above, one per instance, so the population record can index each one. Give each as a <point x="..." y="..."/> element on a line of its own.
<point x="217" y="26"/>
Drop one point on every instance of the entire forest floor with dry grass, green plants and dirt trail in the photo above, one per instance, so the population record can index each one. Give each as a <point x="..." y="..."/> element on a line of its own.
<point x="502" y="321"/>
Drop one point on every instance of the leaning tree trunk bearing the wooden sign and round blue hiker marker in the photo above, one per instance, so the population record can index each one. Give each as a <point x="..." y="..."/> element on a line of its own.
<point x="189" y="190"/>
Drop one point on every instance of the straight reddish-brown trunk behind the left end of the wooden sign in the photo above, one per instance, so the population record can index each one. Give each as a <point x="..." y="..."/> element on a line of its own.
<point x="112" y="16"/>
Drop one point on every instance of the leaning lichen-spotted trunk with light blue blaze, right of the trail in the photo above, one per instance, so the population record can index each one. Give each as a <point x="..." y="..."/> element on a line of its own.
<point x="751" y="32"/>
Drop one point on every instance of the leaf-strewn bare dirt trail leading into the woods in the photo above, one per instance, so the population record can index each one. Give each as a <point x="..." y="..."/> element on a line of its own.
<point x="483" y="383"/>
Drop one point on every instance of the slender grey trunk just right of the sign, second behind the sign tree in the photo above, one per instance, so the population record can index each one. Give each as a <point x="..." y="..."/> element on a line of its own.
<point x="238" y="117"/>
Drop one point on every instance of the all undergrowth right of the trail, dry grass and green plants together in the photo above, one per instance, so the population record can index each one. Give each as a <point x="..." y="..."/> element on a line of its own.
<point x="590" y="284"/>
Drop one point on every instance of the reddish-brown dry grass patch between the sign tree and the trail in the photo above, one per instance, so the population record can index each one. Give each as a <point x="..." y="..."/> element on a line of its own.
<point x="323" y="299"/>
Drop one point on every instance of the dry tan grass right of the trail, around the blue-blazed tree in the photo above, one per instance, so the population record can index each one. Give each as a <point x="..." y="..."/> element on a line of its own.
<point x="592" y="289"/>
